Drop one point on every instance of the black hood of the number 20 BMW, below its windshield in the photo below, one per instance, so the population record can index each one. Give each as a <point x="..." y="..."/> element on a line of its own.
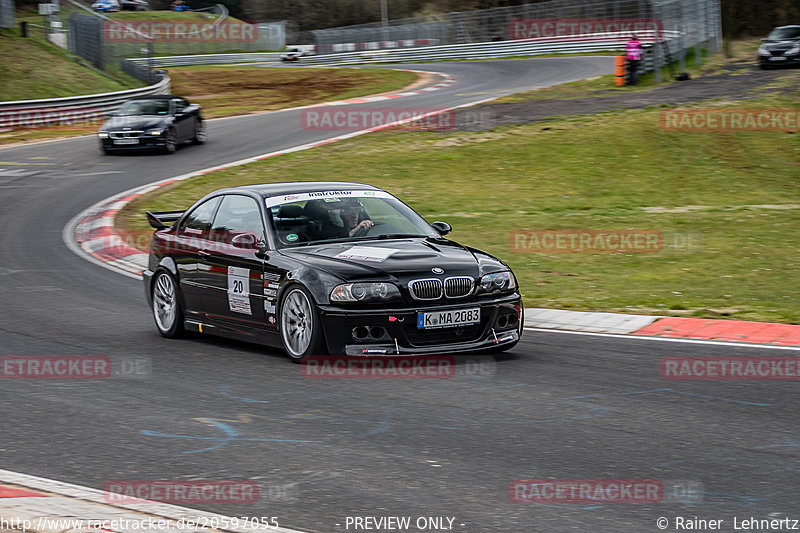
<point x="397" y="259"/>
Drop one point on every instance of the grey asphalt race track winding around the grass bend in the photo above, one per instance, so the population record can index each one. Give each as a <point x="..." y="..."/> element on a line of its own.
<point x="559" y="406"/>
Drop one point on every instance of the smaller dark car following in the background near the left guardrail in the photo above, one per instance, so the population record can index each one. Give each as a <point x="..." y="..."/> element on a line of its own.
<point x="153" y="123"/>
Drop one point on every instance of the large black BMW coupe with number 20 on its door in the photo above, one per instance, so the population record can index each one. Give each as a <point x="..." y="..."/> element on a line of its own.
<point x="326" y="267"/>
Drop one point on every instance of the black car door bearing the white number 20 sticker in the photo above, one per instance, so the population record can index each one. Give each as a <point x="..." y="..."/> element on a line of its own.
<point x="236" y="294"/>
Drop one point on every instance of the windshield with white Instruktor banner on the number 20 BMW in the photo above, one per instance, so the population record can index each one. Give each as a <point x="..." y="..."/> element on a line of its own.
<point x="352" y="216"/>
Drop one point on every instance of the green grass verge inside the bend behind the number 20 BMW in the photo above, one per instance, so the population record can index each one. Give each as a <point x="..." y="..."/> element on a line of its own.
<point x="735" y="258"/>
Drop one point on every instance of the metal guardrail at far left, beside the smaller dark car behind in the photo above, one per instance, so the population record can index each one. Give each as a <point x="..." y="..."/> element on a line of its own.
<point x="71" y="109"/>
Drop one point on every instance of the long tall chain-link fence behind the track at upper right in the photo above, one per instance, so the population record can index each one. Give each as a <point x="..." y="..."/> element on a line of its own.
<point x="698" y="21"/>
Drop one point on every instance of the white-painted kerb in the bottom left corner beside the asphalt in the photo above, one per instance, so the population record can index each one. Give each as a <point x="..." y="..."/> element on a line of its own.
<point x="88" y="502"/>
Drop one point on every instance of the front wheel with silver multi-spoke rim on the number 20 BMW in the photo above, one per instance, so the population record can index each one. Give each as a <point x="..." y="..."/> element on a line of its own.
<point x="299" y="323"/>
